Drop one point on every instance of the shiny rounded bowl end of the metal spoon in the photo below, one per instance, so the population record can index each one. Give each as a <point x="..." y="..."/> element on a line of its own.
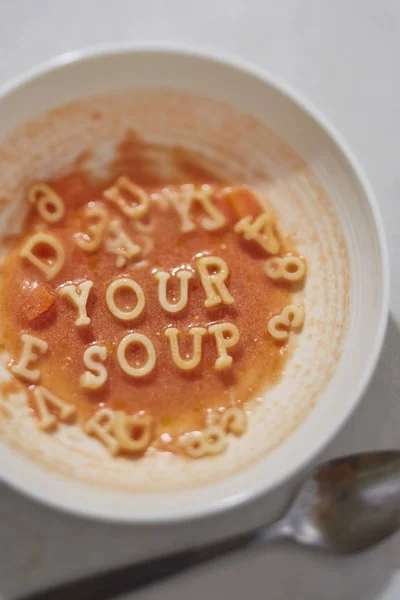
<point x="348" y="504"/>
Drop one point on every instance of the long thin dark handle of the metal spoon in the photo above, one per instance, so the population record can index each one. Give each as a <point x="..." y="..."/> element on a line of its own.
<point x="131" y="578"/>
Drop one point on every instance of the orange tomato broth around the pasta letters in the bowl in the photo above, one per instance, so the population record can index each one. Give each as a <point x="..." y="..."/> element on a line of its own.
<point x="178" y="401"/>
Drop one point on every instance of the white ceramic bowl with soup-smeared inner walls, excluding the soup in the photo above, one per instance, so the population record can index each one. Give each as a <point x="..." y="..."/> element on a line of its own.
<point x="255" y="128"/>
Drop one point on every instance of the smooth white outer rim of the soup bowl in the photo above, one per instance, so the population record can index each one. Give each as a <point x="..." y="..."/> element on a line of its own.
<point x="188" y="513"/>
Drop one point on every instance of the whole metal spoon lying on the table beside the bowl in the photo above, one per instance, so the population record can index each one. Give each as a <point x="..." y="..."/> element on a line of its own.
<point x="345" y="506"/>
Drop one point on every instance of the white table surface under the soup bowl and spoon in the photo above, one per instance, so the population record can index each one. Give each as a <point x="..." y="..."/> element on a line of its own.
<point x="345" y="56"/>
